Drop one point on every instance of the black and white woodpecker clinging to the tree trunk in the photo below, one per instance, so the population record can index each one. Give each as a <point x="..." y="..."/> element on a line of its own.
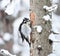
<point x="25" y="29"/>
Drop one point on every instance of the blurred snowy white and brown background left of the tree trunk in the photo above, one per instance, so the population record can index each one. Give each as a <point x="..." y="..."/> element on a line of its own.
<point x="11" y="13"/>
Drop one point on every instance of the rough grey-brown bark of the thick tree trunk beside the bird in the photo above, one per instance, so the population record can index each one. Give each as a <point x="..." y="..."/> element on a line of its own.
<point x="40" y="39"/>
